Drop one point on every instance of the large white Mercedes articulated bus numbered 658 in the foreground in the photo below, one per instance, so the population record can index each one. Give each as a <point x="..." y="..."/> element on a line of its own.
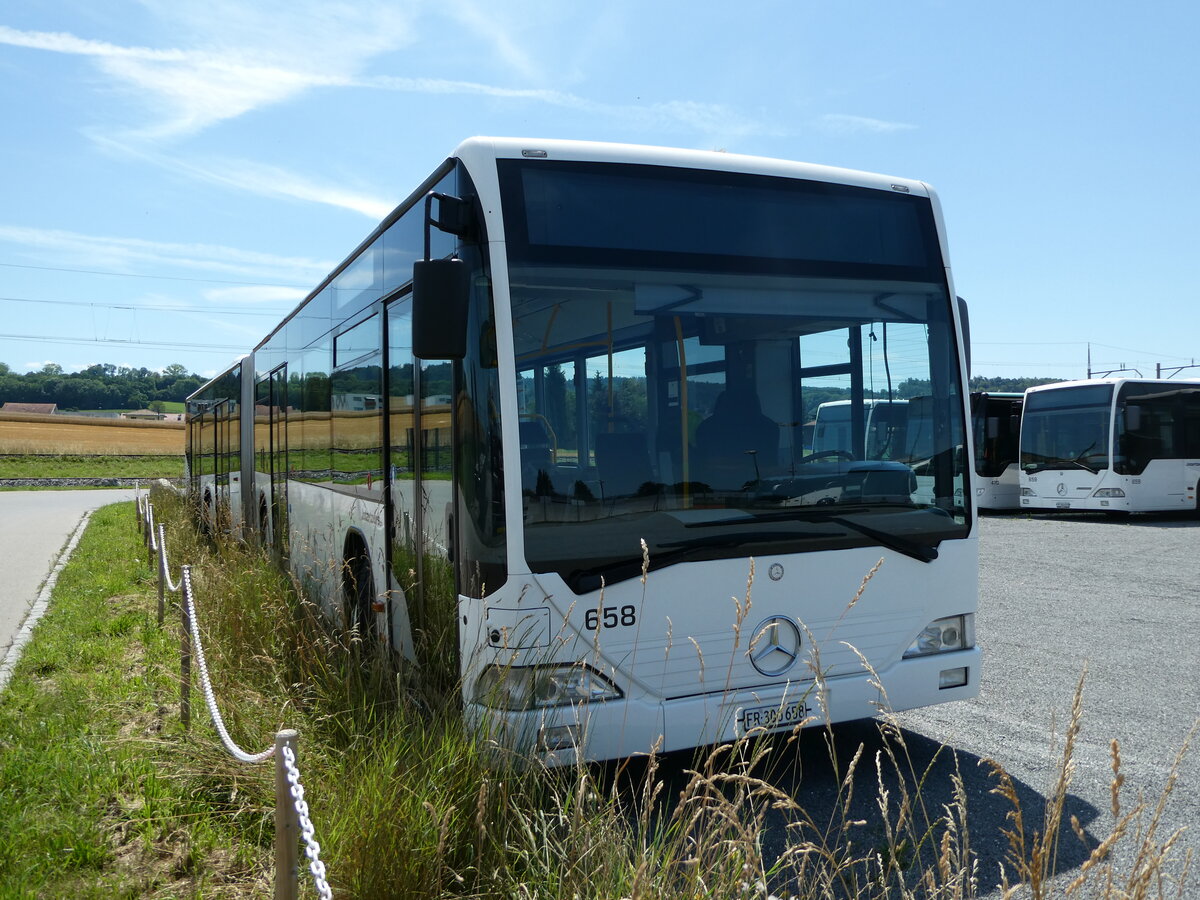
<point x="560" y="364"/>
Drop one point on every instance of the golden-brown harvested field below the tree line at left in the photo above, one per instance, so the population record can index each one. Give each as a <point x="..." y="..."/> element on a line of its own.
<point x="81" y="436"/>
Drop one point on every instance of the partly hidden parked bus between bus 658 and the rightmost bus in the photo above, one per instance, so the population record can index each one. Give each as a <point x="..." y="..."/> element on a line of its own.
<point x="997" y="429"/>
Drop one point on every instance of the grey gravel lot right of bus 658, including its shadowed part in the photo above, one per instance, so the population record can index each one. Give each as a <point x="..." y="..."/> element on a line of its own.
<point x="1057" y="596"/>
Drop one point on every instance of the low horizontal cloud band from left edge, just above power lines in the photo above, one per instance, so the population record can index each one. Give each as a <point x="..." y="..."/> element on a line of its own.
<point x="71" y="249"/>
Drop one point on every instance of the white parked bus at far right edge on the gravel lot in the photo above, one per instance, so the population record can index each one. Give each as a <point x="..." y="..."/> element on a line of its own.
<point x="1112" y="445"/>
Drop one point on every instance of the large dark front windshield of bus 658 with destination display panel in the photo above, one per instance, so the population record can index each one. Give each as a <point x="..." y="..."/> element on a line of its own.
<point x="677" y="333"/>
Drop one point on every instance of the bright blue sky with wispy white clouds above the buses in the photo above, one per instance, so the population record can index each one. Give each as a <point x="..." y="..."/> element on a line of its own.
<point x="177" y="175"/>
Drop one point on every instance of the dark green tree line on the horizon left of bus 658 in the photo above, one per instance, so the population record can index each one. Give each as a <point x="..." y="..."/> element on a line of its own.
<point x="100" y="387"/>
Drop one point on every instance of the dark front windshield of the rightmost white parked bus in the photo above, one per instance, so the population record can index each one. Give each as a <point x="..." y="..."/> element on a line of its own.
<point x="1067" y="429"/>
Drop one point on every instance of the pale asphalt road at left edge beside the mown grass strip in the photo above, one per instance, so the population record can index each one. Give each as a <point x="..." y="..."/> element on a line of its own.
<point x="34" y="527"/>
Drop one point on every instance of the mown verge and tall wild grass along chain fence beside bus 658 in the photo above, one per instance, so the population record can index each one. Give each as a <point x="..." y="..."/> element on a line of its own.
<point x="104" y="794"/>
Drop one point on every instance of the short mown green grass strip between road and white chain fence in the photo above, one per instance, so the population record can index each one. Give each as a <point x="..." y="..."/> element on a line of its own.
<point x="92" y="806"/>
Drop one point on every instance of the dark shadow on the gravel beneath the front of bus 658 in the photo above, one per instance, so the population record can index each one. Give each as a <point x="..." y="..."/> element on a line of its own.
<point x="812" y="770"/>
